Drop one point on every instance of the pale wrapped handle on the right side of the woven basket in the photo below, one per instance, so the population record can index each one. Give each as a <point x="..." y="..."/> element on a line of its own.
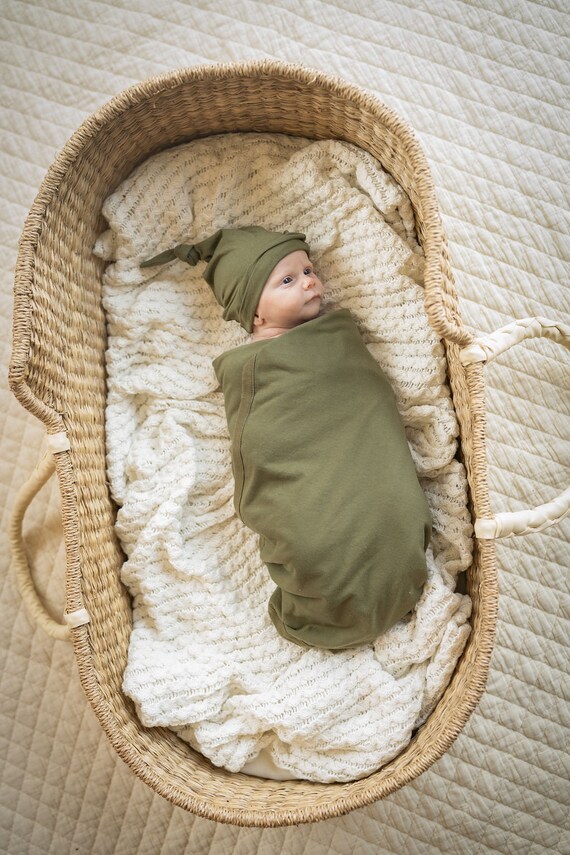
<point x="485" y="350"/>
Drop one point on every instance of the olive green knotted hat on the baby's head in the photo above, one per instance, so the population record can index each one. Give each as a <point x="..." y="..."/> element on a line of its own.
<point x="239" y="264"/>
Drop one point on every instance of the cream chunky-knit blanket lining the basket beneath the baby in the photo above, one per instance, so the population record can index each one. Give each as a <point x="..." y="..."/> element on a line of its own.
<point x="204" y="657"/>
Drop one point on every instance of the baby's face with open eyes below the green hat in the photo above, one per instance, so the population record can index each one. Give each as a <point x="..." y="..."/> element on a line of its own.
<point x="291" y="296"/>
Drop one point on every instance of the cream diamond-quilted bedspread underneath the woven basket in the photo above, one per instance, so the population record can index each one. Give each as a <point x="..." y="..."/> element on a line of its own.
<point x="483" y="84"/>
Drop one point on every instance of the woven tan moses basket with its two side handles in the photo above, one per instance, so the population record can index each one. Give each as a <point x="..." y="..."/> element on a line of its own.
<point x="58" y="373"/>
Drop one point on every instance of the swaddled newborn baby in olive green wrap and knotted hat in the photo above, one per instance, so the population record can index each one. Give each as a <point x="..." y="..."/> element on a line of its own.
<point x="322" y="468"/>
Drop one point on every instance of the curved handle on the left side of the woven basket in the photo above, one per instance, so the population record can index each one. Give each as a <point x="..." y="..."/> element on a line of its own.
<point x="24" y="577"/>
